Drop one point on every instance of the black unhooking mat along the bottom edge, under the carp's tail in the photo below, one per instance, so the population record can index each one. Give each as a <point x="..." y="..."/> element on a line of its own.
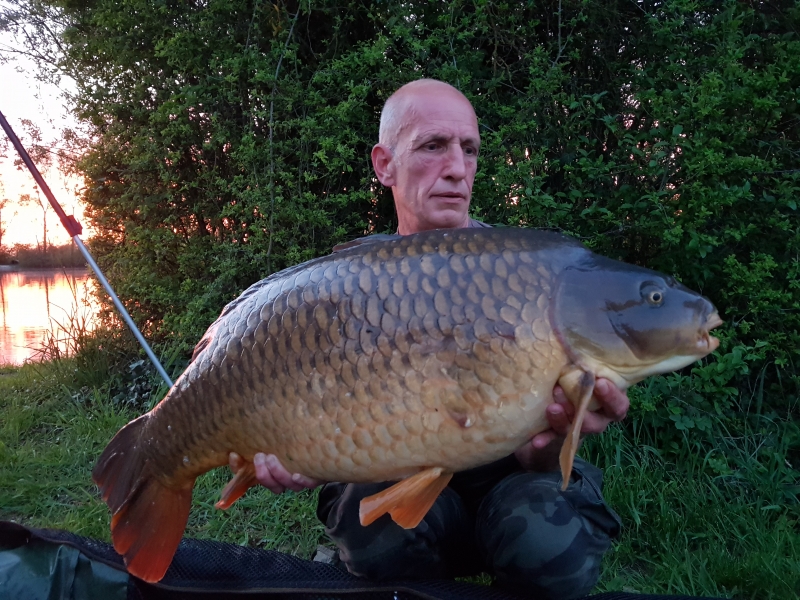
<point x="49" y="564"/>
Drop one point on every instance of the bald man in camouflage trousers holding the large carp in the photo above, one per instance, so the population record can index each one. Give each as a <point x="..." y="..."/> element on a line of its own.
<point x="510" y="517"/>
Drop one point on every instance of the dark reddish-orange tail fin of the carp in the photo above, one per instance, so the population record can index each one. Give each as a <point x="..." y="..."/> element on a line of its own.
<point x="148" y="517"/>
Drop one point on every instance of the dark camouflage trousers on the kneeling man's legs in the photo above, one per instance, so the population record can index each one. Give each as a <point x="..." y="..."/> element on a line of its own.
<point x="516" y="525"/>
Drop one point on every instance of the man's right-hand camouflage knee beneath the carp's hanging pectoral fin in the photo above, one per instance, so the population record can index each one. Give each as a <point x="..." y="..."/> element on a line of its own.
<point x="535" y="537"/>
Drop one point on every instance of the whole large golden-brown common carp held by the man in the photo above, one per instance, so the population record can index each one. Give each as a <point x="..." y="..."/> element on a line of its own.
<point x="395" y="358"/>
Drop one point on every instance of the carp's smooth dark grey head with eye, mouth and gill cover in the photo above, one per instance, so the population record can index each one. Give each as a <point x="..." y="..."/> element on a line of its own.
<point x="630" y="319"/>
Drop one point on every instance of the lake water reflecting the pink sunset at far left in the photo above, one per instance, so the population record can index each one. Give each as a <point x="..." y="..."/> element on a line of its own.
<point x="38" y="304"/>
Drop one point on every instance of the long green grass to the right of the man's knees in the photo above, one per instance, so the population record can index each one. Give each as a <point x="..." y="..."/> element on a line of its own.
<point x="687" y="532"/>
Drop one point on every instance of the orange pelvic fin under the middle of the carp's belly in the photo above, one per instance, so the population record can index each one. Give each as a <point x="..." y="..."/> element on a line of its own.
<point x="407" y="501"/>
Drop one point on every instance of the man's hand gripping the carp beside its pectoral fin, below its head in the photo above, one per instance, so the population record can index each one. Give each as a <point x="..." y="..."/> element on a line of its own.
<point x="541" y="453"/>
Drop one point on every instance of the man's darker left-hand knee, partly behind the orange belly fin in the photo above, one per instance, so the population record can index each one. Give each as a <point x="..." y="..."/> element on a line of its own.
<point x="384" y="550"/>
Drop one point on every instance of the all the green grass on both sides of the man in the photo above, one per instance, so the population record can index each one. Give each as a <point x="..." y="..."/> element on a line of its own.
<point x="687" y="529"/>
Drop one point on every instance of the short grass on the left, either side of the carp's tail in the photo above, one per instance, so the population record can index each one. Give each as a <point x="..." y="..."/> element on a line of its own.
<point x="51" y="434"/>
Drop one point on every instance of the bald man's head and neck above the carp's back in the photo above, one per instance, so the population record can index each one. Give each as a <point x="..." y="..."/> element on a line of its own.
<point x="428" y="154"/>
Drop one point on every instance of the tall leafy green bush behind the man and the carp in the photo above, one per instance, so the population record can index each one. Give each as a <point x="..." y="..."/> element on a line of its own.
<point x="232" y="139"/>
